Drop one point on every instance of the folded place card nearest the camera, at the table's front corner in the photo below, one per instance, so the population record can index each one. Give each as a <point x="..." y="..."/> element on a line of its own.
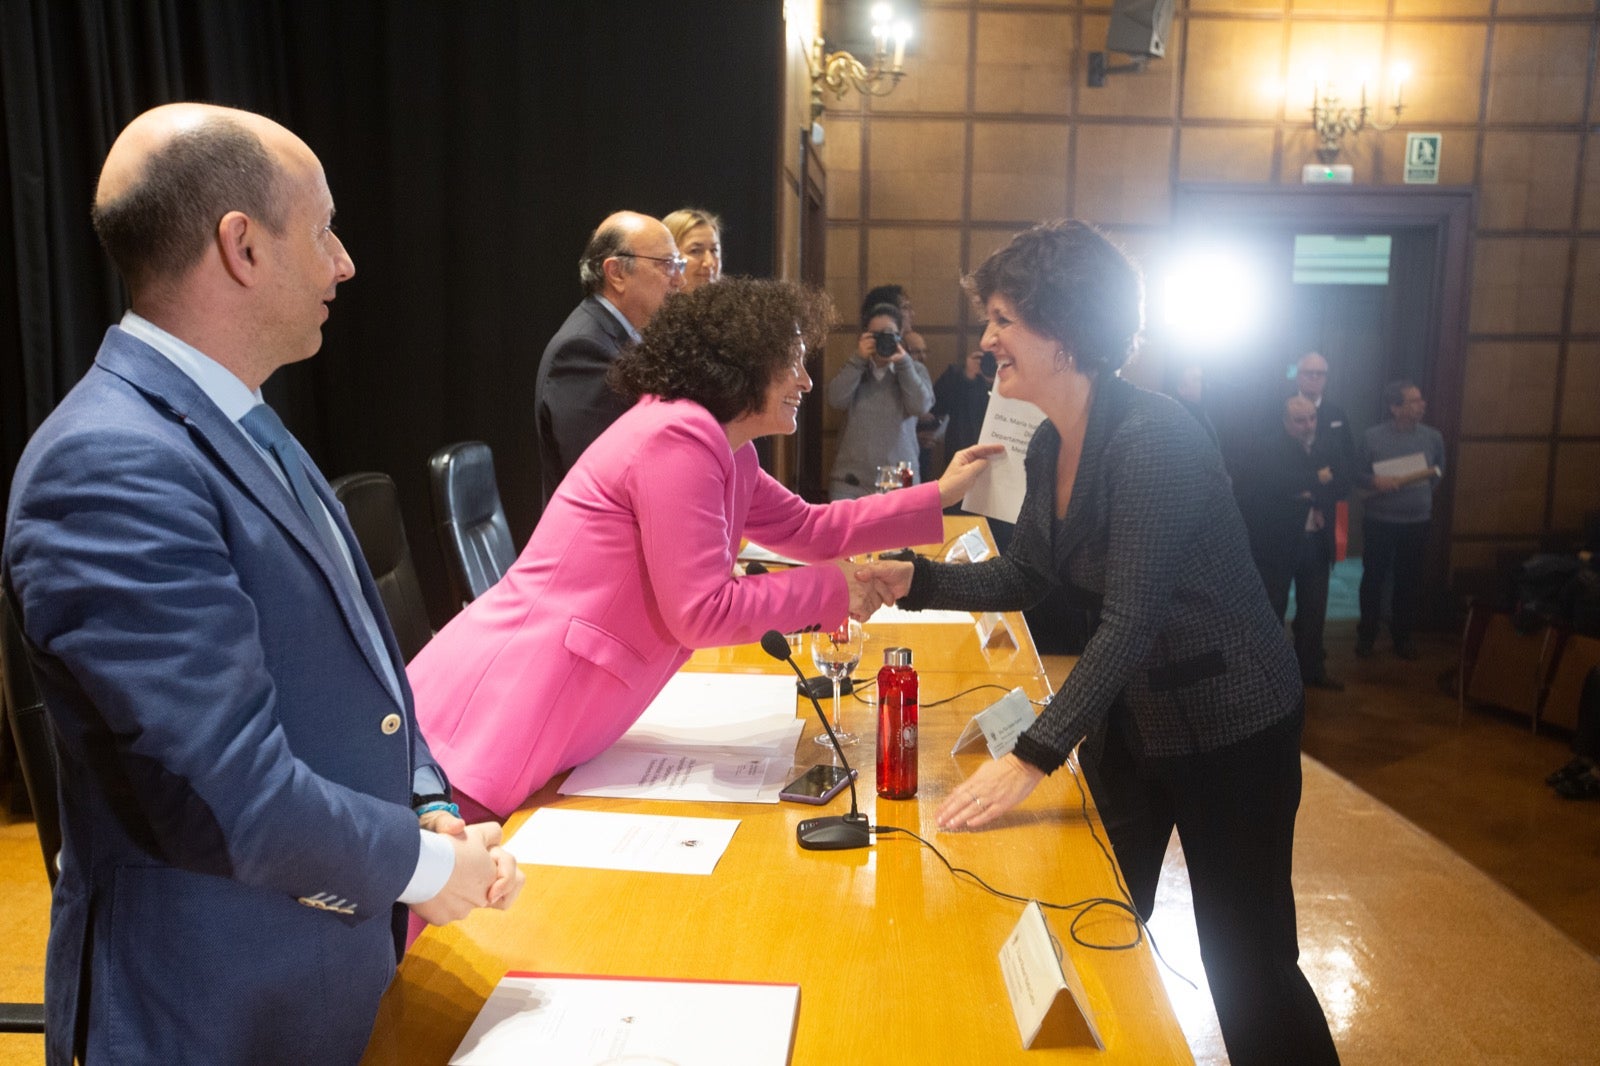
<point x="1047" y="995"/>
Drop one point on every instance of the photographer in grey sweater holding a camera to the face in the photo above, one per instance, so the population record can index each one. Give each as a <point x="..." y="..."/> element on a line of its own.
<point x="884" y="391"/>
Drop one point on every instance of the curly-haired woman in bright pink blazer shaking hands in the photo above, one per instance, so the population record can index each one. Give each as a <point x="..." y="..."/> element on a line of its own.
<point x="631" y="566"/>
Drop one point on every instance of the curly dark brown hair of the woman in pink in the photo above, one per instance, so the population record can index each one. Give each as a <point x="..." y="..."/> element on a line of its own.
<point x="724" y="345"/>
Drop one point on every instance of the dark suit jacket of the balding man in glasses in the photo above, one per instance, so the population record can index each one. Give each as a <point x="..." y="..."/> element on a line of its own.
<point x="572" y="401"/>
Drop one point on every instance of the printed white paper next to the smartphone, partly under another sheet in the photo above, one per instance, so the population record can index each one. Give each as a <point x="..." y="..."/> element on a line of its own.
<point x="682" y="775"/>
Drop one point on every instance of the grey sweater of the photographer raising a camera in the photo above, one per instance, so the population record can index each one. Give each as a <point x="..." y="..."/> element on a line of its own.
<point x="882" y="422"/>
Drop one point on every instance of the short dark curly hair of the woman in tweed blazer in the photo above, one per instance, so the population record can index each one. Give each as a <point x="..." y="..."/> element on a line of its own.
<point x="1070" y="283"/>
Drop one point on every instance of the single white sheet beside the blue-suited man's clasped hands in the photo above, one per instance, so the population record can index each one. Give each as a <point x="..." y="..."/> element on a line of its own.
<point x="652" y="844"/>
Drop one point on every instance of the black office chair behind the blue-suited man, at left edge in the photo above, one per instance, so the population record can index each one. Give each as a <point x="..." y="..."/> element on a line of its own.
<point x="36" y="751"/>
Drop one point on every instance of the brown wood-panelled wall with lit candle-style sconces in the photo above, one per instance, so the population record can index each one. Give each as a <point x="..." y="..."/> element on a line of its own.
<point x="994" y="129"/>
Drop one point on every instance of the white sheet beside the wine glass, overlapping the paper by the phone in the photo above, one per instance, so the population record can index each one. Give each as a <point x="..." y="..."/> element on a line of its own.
<point x="732" y="713"/>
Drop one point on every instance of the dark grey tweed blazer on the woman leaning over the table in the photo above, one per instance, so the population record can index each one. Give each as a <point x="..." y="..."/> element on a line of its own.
<point x="1186" y="655"/>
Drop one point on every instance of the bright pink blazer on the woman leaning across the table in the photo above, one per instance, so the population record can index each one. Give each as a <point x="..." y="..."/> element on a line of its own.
<point x="628" y="572"/>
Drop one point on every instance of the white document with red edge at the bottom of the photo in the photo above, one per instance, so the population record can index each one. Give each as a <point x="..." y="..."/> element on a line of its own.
<point x="602" y="1022"/>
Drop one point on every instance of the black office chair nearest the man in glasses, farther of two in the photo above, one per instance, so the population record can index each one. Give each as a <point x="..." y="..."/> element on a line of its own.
<point x="471" y="519"/>
